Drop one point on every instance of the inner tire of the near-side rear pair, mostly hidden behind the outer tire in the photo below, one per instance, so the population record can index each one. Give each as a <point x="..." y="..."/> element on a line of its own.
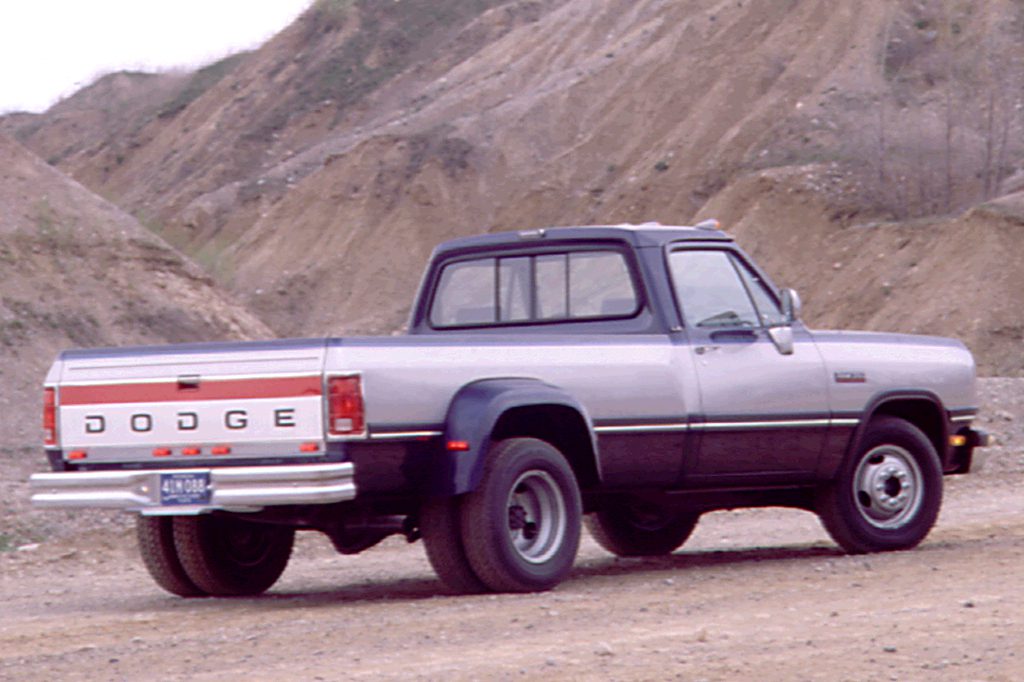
<point x="443" y="541"/>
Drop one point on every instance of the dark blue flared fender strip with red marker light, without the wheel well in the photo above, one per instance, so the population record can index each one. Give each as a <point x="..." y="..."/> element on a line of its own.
<point x="476" y="411"/>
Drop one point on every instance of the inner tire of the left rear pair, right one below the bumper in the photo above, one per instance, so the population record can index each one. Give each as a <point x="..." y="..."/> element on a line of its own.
<point x="227" y="557"/>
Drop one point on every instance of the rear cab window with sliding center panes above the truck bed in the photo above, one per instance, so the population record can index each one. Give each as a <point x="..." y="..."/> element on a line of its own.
<point x="543" y="288"/>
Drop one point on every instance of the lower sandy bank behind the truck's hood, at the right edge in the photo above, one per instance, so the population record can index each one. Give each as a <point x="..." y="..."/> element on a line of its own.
<point x="960" y="276"/>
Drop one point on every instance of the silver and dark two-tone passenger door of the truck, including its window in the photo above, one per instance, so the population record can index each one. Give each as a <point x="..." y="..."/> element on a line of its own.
<point x="763" y="414"/>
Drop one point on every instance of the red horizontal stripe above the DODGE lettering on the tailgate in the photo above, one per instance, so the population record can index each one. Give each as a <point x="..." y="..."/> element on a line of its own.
<point x="210" y="390"/>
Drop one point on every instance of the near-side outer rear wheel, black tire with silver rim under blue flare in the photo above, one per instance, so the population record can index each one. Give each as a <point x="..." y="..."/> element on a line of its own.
<point x="522" y="527"/>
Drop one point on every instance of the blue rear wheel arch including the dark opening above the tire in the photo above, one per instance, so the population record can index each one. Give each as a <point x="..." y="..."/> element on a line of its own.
<point x="492" y="410"/>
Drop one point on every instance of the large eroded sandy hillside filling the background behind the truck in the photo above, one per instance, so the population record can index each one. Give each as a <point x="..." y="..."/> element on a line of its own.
<point x="314" y="176"/>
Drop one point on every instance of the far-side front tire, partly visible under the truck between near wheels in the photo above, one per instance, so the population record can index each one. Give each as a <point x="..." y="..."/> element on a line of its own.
<point x="635" y="529"/>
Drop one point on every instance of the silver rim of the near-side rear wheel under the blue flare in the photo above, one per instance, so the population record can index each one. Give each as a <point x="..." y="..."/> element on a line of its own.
<point x="537" y="517"/>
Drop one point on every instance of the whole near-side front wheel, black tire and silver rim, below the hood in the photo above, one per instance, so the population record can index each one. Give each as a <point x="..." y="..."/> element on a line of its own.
<point x="887" y="497"/>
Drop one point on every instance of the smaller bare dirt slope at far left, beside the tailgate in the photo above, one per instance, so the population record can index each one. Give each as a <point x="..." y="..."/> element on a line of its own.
<point x="76" y="271"/>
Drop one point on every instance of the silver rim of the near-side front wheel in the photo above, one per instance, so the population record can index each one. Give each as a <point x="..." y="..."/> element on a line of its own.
<point x="888" y="487"/>
